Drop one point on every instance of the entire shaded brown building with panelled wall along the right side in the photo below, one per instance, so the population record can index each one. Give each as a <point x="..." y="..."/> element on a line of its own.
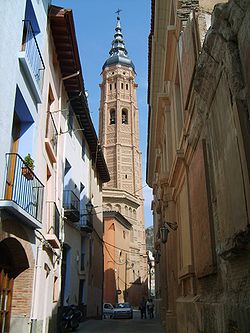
<point x="198" y="163"/>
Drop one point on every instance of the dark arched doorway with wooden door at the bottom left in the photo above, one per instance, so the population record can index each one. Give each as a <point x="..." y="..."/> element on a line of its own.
<point x="13" y="261"/>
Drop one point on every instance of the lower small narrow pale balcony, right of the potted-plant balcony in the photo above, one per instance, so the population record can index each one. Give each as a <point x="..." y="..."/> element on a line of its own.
<point x="53" y="222"/>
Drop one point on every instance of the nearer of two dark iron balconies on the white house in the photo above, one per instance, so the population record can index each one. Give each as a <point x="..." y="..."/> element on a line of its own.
<point x="71" y="205"/>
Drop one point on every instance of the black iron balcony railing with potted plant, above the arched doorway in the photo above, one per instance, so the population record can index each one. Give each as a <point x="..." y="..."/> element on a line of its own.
<point x="23" y="187"/>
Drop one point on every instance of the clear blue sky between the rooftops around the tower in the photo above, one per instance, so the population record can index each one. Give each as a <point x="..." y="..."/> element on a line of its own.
<point x="95" y="22"/>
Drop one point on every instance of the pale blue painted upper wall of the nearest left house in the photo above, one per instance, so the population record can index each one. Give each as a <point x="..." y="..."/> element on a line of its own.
<point x="10" y="73"/>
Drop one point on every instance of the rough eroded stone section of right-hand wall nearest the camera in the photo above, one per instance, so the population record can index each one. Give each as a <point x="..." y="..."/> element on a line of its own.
<point x="221" y="121"/>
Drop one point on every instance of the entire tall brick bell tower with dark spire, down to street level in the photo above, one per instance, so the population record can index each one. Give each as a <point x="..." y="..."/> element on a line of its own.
<point x="119" y="138"/>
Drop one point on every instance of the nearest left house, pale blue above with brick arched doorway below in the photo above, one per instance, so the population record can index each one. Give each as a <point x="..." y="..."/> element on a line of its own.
<point x="29" y="232"/>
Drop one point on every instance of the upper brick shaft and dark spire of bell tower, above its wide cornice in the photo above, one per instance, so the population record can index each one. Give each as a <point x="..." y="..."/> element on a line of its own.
<point x="119" y="133"/>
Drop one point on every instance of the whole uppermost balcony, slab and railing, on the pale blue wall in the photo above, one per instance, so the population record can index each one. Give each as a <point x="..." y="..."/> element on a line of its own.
<point x="31" y="60"/>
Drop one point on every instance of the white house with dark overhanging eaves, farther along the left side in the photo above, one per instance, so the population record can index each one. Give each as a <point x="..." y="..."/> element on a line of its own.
<point x="84" y="172"/>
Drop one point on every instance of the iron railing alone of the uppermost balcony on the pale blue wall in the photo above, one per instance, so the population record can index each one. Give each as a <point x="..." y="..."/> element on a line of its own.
<point x="32" y="52"/>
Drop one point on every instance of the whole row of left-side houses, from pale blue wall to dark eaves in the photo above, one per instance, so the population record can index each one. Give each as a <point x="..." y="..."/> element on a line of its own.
<point x="45" y="190"/>
